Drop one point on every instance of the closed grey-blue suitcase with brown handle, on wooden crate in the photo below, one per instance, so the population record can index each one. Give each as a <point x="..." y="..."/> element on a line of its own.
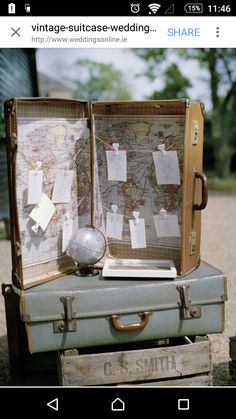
<point x="75" y="312"/>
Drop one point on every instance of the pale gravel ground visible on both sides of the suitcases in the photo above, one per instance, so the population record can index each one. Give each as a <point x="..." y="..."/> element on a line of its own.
<point x="218" y="247"/>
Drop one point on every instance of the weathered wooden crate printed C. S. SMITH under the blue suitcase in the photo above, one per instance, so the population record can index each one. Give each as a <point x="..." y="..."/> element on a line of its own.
<point x="187" y="364"/>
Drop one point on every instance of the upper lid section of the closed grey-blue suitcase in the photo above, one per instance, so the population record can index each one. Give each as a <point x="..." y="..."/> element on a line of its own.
<point x="95" y="296"/>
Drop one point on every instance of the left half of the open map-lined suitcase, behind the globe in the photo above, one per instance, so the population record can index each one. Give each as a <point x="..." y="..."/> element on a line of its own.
<point x="50" y="135"/>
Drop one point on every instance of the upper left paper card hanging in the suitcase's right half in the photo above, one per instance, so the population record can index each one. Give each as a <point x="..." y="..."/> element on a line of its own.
<point x="116" y="165"/>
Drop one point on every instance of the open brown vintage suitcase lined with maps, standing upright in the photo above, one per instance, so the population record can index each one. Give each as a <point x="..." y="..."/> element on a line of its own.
<point x="67" y="143"/>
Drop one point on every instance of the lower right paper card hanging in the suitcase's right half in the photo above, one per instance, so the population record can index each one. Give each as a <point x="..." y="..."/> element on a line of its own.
<point x="166" y="225"/>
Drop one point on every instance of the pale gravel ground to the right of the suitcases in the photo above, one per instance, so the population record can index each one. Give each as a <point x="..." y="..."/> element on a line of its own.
<point x="218" y="247"/>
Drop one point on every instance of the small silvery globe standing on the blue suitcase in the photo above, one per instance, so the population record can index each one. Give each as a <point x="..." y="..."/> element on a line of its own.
<point x="87" y="246"/>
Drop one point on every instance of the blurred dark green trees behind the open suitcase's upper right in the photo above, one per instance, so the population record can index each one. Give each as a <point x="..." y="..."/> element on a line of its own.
<point x="220" y="122"/>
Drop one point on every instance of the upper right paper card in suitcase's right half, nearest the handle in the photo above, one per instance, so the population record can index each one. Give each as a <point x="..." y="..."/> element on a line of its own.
<point x="166" y="167"/>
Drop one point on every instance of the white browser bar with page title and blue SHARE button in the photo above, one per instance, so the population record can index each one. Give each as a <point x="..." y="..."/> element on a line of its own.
<point x="117" y="32"/>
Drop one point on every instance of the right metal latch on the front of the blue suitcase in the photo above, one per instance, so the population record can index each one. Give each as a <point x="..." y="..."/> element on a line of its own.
<point x="187" y="311"/>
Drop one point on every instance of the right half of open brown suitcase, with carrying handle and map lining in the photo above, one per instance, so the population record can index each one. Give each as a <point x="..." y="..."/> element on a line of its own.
<point x="140" y="128"/>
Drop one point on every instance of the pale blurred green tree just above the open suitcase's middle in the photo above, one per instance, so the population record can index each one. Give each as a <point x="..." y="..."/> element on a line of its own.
<point x="99" y="81"/>
